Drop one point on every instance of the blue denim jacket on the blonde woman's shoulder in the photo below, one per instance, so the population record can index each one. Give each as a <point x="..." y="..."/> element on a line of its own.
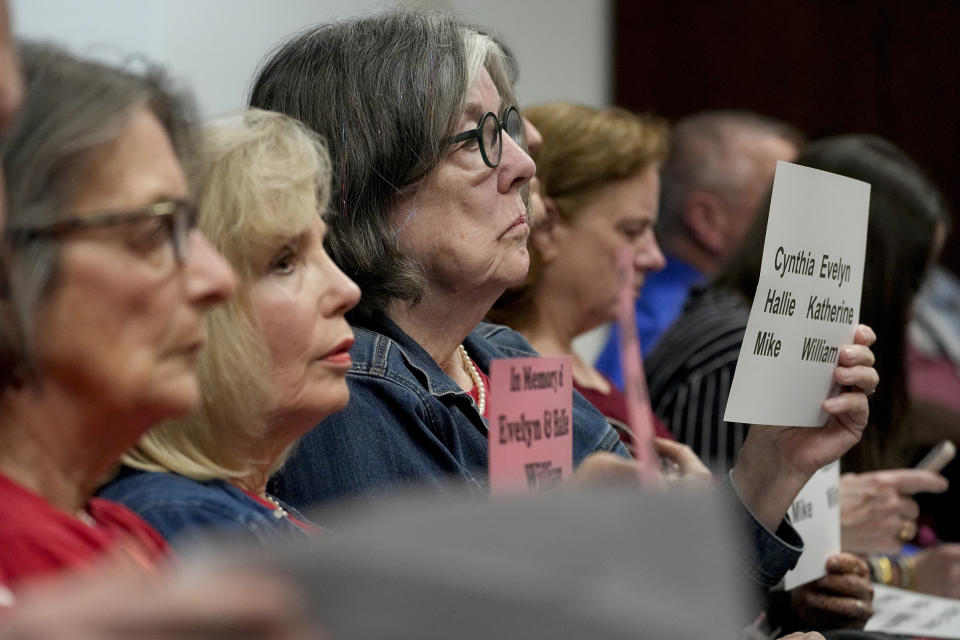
<point x="180" y="508"/>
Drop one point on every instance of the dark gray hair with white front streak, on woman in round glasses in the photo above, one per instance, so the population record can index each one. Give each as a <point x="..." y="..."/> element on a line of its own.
<point x="386" y="93"/>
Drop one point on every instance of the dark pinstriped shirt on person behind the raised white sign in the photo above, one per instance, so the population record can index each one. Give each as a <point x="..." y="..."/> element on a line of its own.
<point x="689" y="373"/>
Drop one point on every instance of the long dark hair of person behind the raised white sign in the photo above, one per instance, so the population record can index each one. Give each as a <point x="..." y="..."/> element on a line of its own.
<point x="905" y="211"/>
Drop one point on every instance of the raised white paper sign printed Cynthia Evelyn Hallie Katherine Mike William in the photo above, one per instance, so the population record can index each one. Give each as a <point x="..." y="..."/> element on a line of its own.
<point x="807" y="304"/>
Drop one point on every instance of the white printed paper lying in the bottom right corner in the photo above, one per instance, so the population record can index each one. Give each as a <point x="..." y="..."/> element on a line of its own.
<point x="908" y="613"/>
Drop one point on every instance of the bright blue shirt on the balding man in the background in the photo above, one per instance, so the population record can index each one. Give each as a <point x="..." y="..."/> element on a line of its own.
<point x="660" y="302"/>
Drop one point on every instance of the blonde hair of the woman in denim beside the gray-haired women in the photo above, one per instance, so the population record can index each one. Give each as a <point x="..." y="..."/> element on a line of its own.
<point x="259" y="181"/>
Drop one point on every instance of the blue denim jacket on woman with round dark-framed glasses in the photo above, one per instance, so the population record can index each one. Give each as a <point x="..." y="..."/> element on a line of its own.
<point x="408" y="421"/>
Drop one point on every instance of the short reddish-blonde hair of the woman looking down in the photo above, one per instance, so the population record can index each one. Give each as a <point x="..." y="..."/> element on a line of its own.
<point x="583" y="150"/>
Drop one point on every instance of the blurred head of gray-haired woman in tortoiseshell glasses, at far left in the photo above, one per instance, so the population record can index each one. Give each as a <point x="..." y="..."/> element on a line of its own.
<point x="108" y="277"/>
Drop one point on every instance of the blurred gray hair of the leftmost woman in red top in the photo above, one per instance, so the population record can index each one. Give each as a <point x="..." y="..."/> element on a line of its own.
<point x="72" y="108"/>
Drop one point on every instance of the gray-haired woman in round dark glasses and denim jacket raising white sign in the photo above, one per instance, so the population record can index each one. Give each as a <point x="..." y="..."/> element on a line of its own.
<point x="428" y="217"/>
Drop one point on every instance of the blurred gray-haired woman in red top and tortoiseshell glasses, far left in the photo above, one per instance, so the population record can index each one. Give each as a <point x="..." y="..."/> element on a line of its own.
<point x="109" y="284"/>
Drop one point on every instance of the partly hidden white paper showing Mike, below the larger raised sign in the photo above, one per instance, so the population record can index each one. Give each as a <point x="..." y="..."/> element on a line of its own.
<point x="815" y="514"/>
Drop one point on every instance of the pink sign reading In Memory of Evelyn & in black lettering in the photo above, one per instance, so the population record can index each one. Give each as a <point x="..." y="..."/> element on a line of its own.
<point x="531" y="424"/>
